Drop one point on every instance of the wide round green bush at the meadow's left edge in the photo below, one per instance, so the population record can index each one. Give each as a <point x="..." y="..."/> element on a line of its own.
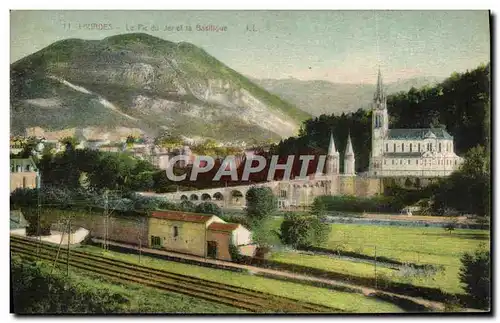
<point x="300" y="230"/>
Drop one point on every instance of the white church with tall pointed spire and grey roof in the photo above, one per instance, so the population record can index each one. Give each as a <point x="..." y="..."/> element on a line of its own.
<point x="426" y="152"/>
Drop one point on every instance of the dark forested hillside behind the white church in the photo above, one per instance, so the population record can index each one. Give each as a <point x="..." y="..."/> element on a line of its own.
<point x="460" y="104"/>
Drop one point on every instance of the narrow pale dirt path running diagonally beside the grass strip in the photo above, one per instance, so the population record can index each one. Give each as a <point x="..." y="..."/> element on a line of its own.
<point x="367" y="291"/>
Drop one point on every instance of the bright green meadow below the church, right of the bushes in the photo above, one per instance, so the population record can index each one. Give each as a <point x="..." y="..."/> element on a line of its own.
<point x="418" y="245"/>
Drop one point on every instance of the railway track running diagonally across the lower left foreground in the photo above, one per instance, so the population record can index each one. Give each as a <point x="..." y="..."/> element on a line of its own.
<point x="122" y="271"/>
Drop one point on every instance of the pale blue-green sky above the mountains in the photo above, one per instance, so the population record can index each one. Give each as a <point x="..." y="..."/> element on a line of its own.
<point x="338" y="46"/>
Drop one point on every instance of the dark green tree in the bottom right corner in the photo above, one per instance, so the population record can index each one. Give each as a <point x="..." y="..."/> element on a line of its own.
<point x="475" y="277"/>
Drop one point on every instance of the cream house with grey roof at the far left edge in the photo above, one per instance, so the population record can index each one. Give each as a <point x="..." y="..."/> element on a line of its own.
<point x="23" y="174"/>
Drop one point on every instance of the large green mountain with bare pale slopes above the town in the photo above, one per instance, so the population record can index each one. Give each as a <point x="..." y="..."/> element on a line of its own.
<point x="140" y="81"/>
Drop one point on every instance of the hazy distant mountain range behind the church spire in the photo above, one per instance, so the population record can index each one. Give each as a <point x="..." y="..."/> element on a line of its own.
<point x="323" y="97"/>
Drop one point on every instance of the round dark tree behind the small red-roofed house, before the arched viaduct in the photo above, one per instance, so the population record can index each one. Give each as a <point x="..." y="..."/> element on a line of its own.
<point x="261" y="204"/>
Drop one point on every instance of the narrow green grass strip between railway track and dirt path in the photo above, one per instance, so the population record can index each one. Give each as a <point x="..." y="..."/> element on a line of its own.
<point x="346" y="301"/>
